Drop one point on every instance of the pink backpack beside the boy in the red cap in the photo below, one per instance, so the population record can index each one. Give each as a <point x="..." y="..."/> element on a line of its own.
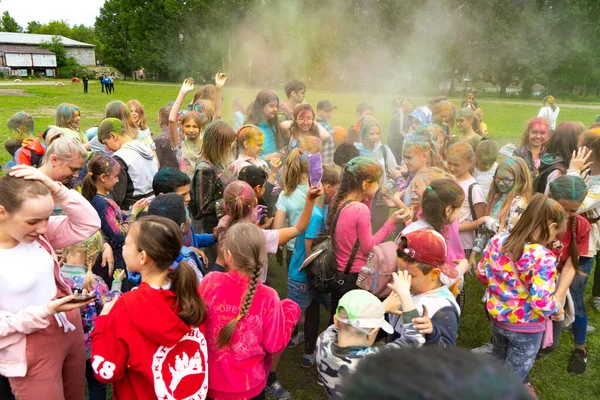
<point x="375" y="276"/>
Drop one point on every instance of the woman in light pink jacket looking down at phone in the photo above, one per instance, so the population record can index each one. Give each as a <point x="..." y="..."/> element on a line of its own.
<point x="41" y="337"/>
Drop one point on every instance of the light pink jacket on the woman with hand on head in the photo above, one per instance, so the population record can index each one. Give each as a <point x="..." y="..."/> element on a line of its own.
<point x="79" y="223"/>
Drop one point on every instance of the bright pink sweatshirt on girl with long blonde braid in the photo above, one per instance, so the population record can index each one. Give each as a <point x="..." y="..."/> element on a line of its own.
<point x="240" y="369"/>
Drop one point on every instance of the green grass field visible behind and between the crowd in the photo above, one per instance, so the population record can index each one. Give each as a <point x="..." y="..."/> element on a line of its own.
<point x="506" y="123"/>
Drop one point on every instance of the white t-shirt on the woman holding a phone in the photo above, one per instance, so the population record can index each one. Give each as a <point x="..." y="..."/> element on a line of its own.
<point x="26" y="277"/>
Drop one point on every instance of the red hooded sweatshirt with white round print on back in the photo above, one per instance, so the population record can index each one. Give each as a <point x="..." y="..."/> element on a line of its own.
<point x="147" y="351"/>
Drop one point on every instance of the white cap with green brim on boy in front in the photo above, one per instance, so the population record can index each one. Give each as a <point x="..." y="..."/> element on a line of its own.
<point x="365" y="311"/>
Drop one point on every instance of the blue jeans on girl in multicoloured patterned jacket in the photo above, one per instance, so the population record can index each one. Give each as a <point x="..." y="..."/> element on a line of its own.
<point x="517" y="350"/>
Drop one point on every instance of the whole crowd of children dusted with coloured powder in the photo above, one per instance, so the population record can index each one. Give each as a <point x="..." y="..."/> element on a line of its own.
<point x="148" y="255"/>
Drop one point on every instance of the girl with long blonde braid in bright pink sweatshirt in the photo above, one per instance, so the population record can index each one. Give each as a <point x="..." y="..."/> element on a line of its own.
<point x="246" y="322"/>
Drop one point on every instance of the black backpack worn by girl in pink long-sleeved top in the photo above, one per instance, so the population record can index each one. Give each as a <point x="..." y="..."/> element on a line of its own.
<point x="320" y="265"/>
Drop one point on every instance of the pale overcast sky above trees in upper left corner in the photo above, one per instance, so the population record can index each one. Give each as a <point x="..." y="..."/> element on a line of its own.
<point x="44" y="11"/>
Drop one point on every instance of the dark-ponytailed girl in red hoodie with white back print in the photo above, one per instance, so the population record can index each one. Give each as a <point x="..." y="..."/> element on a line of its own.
<point x="150" y="339"/>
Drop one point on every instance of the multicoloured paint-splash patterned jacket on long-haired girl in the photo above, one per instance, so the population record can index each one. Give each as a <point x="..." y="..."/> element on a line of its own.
<point x="518" y="303"/>
